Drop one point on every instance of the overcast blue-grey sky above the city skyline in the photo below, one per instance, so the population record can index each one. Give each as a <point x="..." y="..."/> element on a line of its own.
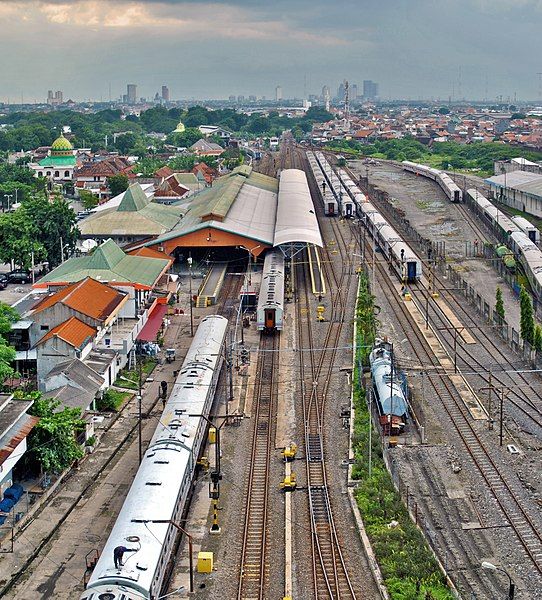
<point x="412" y="48"/>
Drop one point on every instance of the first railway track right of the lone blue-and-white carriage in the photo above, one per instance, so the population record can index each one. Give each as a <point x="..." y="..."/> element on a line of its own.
<point x="505" y="491"/>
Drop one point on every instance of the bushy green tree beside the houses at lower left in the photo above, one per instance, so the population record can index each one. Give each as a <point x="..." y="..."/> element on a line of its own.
<point x="52" y="444"/>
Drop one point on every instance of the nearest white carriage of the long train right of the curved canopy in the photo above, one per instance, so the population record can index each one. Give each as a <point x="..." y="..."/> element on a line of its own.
<point x="405" y="263"/>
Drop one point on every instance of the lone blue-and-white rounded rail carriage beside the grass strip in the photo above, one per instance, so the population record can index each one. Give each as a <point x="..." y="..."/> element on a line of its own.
<point x="389" y="388"/>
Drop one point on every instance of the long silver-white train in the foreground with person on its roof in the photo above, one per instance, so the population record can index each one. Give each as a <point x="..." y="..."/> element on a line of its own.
<point x="163" y="482"/>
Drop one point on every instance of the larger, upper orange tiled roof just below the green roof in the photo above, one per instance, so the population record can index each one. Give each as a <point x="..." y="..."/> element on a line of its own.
<point x="89" y="297"/>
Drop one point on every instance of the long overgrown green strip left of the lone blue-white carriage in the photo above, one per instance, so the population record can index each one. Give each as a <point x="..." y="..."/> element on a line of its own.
<point x="408" y="566"/>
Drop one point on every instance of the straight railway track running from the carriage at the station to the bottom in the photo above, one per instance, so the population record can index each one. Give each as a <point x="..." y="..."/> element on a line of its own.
<point x="254" y="567"/>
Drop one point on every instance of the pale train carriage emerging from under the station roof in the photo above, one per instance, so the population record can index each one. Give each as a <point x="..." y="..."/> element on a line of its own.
<point x="269" y="315"/>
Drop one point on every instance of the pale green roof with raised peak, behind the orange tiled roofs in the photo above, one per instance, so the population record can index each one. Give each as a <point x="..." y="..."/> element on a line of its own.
<point x="108" y="263"/>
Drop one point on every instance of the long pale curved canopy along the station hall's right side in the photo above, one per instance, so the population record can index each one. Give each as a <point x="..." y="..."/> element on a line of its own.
<point x="296" y="221"/>
